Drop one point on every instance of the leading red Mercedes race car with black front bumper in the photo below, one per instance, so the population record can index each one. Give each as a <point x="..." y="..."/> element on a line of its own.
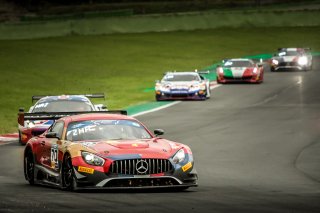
<point x="106" y="151"/>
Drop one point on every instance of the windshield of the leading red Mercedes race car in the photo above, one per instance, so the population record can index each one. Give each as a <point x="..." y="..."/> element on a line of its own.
<point x="106" y="130"/>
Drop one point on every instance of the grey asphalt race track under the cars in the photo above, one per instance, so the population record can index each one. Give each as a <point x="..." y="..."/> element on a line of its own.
<point x="256" y="147"/>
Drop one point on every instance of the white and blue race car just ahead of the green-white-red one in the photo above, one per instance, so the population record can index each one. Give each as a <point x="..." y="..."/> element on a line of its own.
<point x="182" y="85"/>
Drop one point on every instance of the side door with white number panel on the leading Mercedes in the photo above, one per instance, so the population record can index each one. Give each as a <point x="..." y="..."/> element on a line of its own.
<point x="50" y="146"/>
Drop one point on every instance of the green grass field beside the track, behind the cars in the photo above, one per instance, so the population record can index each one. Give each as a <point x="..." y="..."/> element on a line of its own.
<point x="123" y="65"/>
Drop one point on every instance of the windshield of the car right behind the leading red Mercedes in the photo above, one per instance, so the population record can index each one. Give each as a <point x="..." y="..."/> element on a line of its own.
<point x="62" y="106"/>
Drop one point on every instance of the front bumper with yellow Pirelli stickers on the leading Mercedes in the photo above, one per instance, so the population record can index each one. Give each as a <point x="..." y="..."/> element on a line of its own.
<point x="92" y="177"/>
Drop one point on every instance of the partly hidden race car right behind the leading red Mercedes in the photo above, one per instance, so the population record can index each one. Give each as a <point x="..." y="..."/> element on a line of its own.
<point x="62" y="103"/>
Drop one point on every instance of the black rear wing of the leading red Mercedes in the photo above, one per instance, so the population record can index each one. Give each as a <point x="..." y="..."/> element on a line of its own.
<point x="22" y="116"/>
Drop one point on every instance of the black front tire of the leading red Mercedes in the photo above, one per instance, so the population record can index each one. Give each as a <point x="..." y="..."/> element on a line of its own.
<point x="67" y="174"/>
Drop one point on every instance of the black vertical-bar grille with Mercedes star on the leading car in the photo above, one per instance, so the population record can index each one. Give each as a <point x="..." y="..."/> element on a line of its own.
<point x="140" y="166"/>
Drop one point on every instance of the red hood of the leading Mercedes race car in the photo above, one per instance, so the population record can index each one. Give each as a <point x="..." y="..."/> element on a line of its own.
<point x="150" y="148"/>
